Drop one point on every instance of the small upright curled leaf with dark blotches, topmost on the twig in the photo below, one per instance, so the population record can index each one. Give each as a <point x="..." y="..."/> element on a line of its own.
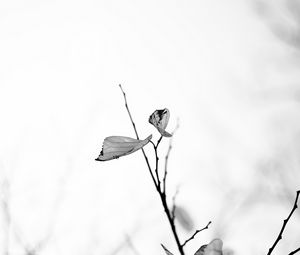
<point x="160" y="119"/>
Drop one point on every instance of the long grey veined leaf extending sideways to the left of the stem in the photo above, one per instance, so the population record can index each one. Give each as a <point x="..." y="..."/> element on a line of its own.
<point x="118" y="146"/>
